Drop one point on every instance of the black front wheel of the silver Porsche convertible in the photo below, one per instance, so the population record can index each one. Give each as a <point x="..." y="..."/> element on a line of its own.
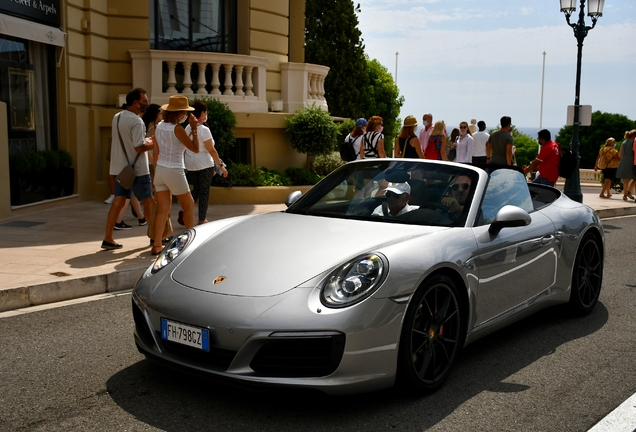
<point x="432" y="335"/>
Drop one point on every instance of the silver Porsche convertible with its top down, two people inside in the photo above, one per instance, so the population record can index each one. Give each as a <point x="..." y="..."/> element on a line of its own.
<point x="378" y="275"/>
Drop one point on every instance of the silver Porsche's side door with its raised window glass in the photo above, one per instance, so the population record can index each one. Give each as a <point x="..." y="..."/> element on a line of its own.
<point x="516" y="264"/>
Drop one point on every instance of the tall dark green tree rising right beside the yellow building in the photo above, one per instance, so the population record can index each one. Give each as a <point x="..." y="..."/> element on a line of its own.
<point x="332" y="39"/>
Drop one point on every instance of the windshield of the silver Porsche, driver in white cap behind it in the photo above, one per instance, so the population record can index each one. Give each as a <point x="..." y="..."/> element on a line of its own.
<point x="418" y="192"/>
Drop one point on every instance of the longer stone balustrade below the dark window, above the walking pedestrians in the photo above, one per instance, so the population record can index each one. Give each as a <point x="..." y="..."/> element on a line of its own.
<point x="237" y="80"/>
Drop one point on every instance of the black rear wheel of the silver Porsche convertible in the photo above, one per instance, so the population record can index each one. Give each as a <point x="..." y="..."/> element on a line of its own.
<point x="587" y="276"/>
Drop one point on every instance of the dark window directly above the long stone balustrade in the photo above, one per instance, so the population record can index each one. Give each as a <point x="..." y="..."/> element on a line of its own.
<point x="193" y="25"/>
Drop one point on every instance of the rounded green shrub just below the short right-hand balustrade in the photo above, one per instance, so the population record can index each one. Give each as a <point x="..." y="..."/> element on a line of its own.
<point x="312" y="131"/>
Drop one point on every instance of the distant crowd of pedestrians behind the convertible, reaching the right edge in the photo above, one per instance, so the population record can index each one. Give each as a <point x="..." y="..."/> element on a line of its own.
<point x="472" y="144"/>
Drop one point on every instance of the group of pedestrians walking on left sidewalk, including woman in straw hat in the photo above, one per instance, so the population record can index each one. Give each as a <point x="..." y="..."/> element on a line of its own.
<point x="150" y="143"/>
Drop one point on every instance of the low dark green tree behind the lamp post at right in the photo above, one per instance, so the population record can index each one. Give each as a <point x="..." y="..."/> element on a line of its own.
<point x="591" y="138"/>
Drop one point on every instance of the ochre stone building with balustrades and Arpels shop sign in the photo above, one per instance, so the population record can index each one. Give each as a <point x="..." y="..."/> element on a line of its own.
<point x="66" y="66"/>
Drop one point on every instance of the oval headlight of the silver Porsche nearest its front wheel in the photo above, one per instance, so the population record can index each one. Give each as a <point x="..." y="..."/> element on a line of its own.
<point x="353" y="282"/>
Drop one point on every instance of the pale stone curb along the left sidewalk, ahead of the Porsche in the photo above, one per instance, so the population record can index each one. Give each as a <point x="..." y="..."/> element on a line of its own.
<point x="52" y="292"/>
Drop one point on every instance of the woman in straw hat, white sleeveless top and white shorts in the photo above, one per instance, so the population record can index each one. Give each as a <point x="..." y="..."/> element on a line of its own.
<point x="170" y="141"/>
